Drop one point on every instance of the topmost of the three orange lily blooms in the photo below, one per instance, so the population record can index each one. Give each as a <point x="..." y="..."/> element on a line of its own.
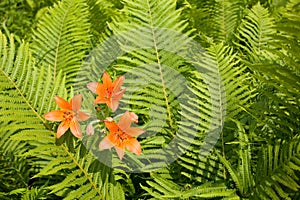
<point x="109" y="92"/>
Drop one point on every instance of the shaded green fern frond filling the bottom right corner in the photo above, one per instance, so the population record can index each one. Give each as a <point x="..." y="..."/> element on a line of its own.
<point x="278" y="169"/>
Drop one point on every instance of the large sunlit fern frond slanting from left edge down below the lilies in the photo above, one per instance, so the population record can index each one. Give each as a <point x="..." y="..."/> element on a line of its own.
<point x="26" y="94"/>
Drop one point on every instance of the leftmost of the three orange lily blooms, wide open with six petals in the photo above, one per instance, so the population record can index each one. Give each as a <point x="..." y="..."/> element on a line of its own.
<point x="69" y="115"/>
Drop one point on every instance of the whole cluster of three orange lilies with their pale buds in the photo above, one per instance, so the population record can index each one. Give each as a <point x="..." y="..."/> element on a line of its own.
<point x="121" y="134"/>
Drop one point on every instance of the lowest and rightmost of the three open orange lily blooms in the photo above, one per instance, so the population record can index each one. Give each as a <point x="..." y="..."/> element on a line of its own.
<point x="122" y="136"/>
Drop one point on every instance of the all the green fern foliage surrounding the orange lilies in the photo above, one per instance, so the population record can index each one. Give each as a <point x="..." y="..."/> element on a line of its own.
<point x="253" y="47"/>
